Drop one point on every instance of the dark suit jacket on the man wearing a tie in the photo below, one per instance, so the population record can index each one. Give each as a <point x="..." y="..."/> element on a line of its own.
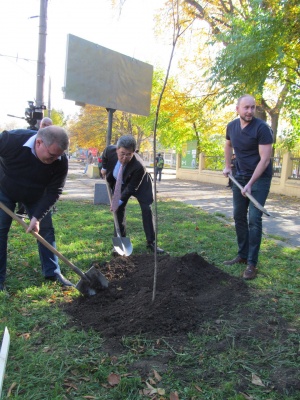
<point x="136" y="181"/>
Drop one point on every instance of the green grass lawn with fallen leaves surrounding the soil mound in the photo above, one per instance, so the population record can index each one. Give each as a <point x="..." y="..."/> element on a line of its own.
<point x="51" y="359"/>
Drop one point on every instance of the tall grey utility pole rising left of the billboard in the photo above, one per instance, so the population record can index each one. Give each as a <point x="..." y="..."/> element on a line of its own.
<point x="41" y="65"/>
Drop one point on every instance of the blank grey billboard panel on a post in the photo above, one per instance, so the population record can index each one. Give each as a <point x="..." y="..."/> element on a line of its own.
<point x="103" y="77"/>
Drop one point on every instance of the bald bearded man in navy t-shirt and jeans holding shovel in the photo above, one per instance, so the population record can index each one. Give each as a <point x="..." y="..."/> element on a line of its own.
<point x="251" y="139"/>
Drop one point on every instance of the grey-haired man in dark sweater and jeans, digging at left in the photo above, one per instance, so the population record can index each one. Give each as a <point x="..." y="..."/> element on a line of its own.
<point x="33" y="170"/>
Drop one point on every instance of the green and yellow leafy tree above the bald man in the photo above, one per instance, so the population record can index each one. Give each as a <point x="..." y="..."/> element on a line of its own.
<point x="260" y="52"/>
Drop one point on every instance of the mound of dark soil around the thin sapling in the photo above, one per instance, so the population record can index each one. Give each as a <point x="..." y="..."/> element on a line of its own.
<point x="189" y="292"/>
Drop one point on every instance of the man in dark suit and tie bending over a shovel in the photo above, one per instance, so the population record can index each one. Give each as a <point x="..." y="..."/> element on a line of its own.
<point x="135" y="182"/>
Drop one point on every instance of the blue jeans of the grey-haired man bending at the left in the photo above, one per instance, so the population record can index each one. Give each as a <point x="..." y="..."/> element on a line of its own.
<point x="49" y="261"/>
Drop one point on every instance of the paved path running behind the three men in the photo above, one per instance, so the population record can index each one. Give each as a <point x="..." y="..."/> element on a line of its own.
<point x="215" y="199"/>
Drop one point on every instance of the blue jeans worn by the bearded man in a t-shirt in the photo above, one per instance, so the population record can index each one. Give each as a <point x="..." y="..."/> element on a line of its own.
<point x="248" y="219"/>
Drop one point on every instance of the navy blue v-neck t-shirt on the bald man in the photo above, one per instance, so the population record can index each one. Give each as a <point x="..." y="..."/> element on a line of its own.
<point x="245" y="143"/>
